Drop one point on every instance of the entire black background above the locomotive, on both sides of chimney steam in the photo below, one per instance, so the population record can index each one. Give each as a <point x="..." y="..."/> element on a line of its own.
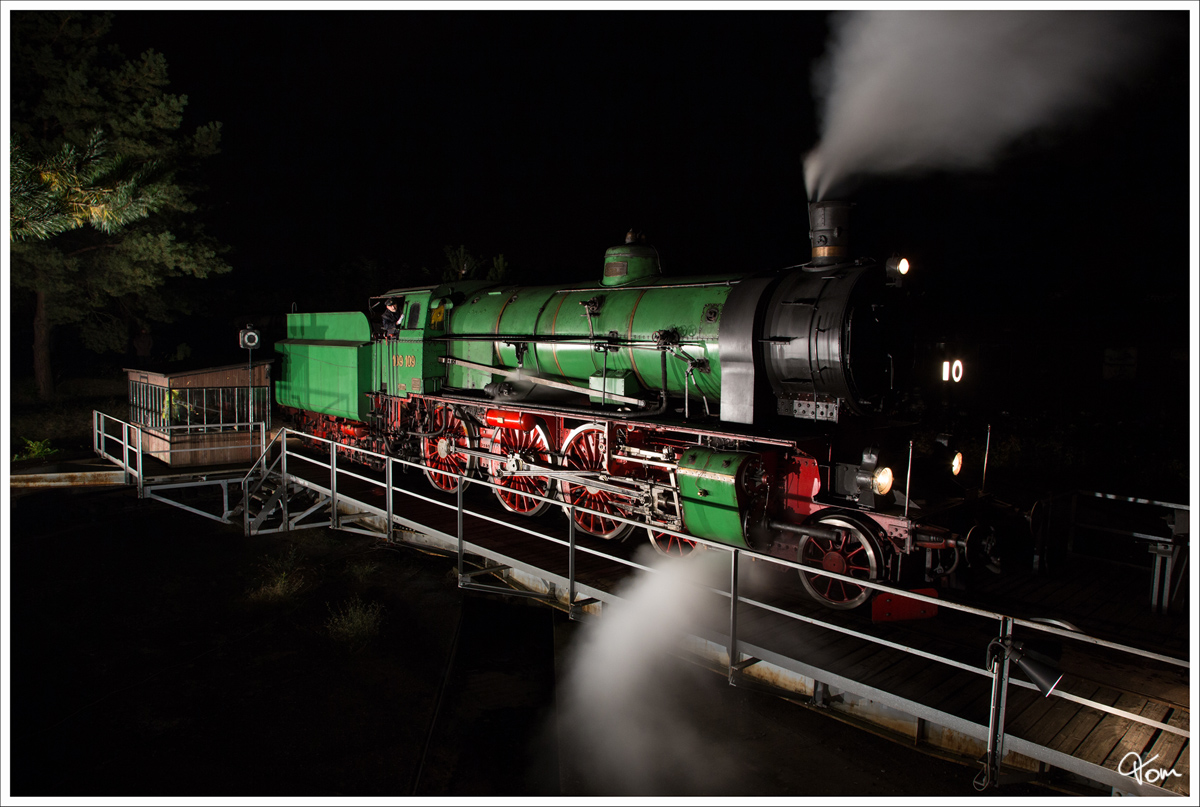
<point x="356" y="146"/>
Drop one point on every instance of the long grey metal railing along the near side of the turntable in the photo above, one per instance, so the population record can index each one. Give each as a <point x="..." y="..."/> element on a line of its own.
<point x="998" y="669"/>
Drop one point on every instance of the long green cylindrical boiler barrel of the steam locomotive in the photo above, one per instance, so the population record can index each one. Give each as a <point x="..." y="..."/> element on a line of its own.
<point x="556" y="316"/>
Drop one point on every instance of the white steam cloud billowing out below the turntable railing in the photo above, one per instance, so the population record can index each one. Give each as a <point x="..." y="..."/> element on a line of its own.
<point x="621" y="709"/>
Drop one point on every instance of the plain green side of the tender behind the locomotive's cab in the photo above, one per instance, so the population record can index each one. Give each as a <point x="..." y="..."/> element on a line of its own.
<point x="327" y="364"/>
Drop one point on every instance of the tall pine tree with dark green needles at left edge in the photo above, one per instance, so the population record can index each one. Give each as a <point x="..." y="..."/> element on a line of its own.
<point x="101" y="225"/>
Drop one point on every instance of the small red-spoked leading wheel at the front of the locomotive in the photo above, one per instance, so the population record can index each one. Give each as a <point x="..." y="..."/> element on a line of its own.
<point x="856" y="555"/>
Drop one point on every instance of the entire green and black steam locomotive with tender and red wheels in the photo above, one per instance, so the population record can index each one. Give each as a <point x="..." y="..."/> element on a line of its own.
<point x="748" y="410"/>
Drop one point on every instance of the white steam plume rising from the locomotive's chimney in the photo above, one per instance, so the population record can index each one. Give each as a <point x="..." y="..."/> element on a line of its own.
<point x="908" y="92"/>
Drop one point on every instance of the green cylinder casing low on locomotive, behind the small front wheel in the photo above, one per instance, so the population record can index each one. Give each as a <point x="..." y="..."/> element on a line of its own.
<point x="709" y="487"/>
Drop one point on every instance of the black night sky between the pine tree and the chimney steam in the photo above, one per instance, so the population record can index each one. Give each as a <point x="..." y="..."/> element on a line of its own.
<point x="541" y="135"/>
